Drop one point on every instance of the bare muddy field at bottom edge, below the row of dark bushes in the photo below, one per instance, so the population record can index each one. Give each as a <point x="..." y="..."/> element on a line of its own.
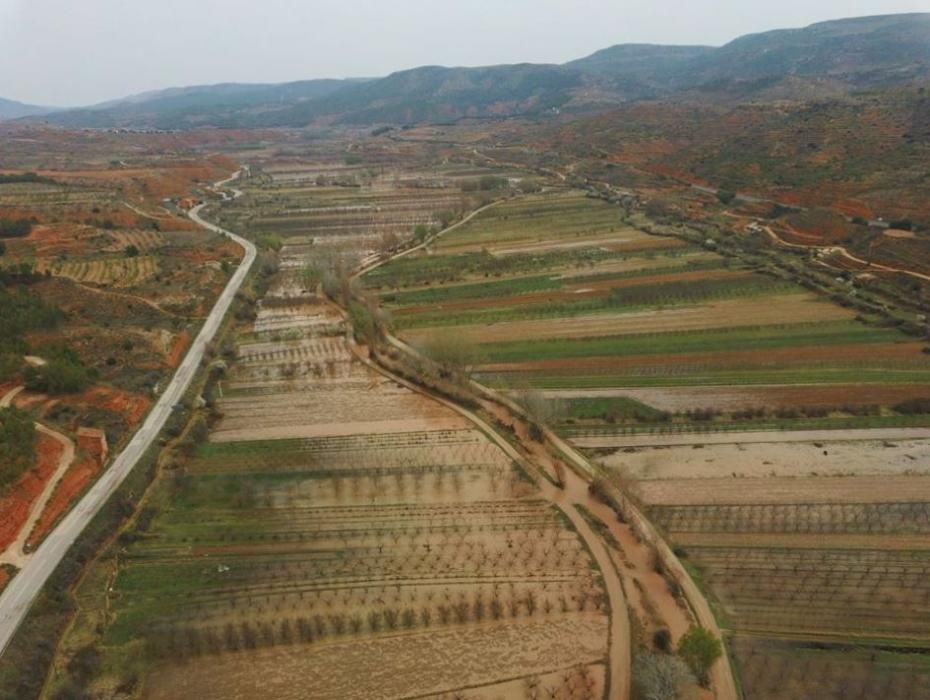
<point x="410" y="665"/>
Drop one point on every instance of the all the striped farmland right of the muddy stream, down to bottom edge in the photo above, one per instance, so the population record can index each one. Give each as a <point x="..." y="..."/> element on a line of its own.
<point x="683" y="373"/>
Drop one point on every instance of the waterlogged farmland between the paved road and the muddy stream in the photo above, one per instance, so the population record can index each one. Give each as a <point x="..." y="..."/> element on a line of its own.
<point x="333" y="516"/>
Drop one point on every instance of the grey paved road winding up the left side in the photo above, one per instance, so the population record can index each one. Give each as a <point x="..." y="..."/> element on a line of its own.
<point x="23" y="589"/>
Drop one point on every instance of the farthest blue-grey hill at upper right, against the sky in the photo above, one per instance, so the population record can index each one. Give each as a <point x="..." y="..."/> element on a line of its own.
<point x="839" y="55"/>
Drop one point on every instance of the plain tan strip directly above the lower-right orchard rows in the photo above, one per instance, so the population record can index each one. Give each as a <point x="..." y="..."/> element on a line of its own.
<point x="852" y="489"/>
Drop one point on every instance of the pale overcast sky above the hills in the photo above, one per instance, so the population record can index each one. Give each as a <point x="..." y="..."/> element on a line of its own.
<point x="79" y="52"/>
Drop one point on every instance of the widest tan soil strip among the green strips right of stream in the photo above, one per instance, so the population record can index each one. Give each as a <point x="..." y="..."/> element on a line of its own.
<point x="789" y="308"/>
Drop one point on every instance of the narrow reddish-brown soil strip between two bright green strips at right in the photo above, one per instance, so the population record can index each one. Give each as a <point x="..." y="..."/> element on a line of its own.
<point x="910" y="351"/>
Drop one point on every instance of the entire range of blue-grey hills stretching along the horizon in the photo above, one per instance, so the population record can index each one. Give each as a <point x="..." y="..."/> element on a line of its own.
<point x="829" y="59"/>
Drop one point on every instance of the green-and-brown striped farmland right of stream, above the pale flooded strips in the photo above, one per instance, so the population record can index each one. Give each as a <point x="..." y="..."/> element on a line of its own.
<point x="630" y="332"/>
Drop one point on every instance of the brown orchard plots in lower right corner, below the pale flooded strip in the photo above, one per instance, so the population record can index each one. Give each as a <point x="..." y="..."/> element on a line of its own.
<point x="837" y="564"/>
